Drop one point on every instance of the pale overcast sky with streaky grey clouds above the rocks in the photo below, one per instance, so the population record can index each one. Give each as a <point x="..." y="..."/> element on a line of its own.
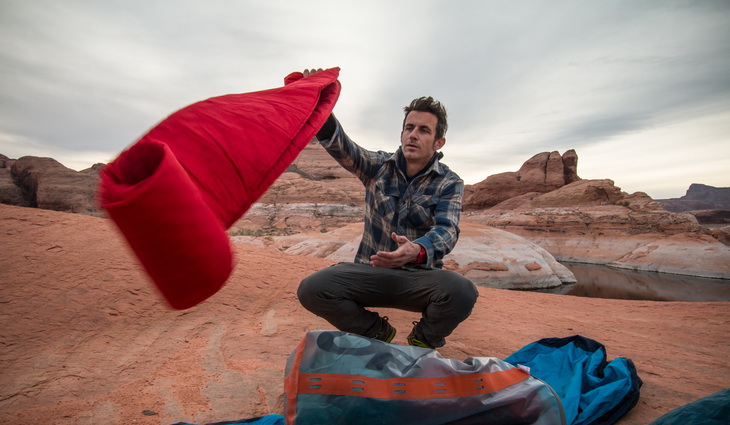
<point x="640" y="89"/>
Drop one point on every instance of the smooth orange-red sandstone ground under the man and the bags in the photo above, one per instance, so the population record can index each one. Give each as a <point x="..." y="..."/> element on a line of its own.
<point x="86" y="339"/>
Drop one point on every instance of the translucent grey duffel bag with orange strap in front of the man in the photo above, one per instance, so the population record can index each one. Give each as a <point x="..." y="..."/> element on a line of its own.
<point x="334" y="377"/>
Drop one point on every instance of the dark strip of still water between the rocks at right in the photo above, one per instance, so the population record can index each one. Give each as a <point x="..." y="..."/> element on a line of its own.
<point x="597" y="281"/>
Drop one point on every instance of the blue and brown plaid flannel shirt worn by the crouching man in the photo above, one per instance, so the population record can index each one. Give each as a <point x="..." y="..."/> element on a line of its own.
<point x="426" y="210"/>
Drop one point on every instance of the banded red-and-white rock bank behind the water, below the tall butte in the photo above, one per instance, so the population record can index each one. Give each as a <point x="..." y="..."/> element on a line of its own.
<point x="592" y="221"/>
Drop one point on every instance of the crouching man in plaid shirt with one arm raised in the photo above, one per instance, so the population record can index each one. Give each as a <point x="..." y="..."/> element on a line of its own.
<point x="412" y="210"/>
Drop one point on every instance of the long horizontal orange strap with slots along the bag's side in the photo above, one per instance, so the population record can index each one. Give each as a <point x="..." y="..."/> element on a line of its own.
<point x="408" y="388"/>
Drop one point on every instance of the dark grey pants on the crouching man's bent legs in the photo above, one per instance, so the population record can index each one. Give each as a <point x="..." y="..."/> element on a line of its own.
<point x="340" y="293"/>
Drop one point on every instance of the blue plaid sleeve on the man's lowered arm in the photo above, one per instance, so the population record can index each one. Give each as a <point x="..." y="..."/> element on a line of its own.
<point x="444" y="233"/>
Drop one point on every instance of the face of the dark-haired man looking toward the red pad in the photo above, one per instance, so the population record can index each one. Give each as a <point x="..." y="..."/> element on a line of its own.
<point x="417" y="138"/>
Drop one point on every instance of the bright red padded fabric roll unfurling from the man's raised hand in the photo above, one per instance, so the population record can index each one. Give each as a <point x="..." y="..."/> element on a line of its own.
<point x="175" y="191"/>
